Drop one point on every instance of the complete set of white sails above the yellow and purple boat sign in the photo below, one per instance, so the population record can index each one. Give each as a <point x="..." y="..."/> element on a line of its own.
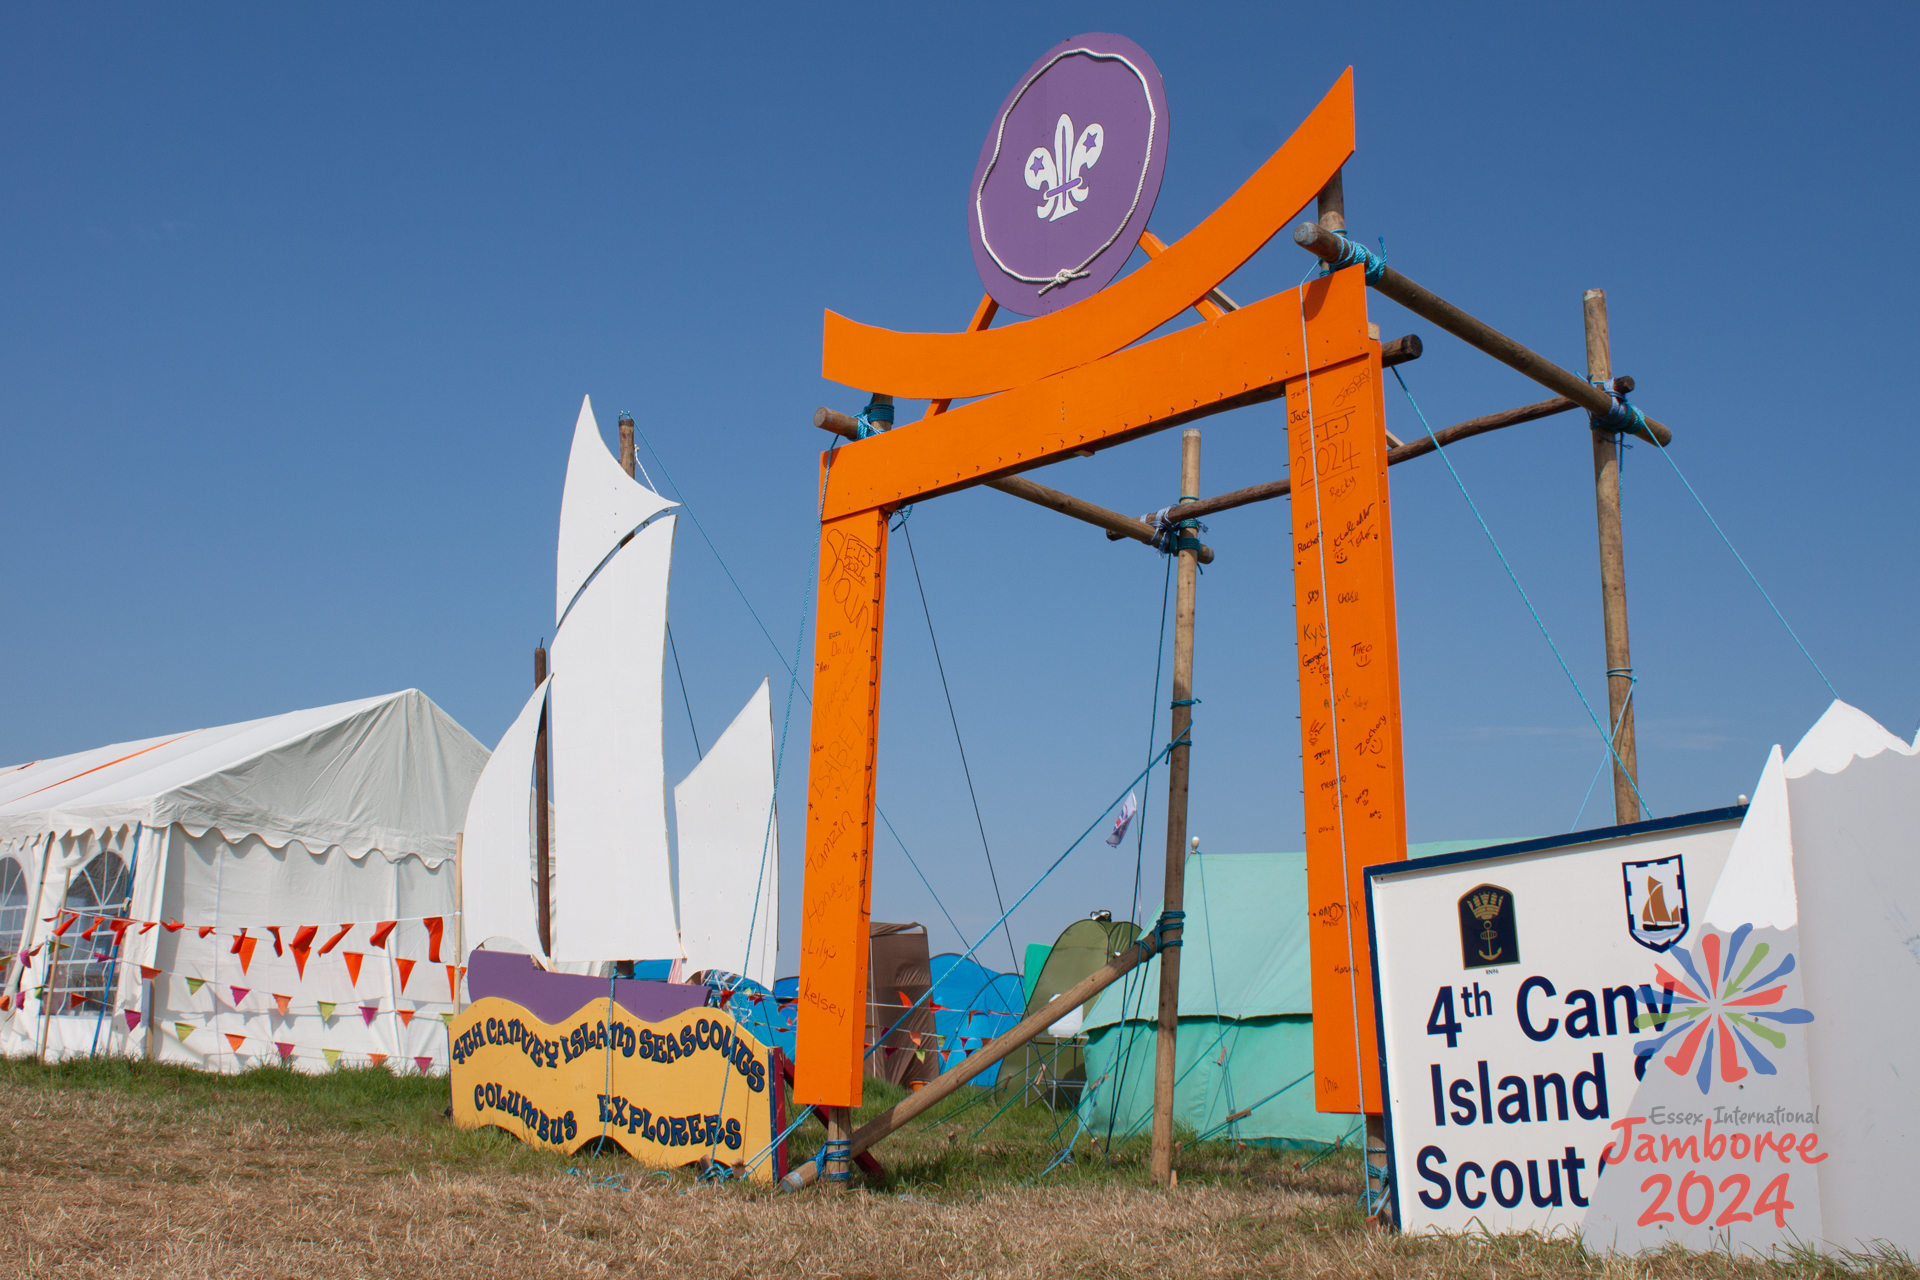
<point x="612" y="872"/>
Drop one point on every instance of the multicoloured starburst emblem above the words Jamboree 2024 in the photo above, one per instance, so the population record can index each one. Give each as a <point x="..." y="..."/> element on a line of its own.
<point x="1725" y="1012"/>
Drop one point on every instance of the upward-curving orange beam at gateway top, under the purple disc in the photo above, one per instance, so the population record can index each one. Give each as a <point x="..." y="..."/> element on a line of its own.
<point x="982" y="364"/>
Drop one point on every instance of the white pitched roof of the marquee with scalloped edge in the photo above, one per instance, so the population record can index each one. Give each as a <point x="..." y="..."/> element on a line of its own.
<point x="385" y="774"/>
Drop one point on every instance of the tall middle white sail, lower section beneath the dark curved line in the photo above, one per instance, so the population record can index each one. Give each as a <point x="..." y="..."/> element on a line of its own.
<point x="612" y="888"/>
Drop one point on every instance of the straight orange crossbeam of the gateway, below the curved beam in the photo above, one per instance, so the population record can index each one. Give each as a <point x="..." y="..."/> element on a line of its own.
<point x="1116" y="398"/>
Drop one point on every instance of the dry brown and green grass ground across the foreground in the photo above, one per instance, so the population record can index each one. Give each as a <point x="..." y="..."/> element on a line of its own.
<point x="128" y="1170"/>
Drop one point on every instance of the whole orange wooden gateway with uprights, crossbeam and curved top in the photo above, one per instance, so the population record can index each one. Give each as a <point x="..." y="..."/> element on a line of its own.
<point x="1057" y="387"/>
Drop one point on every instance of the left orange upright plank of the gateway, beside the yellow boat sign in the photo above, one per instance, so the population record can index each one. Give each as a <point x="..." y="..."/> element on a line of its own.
<point x="840" y="807"/>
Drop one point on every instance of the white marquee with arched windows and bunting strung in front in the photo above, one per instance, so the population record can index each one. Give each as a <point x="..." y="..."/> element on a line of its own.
<point x="322" y="818"/>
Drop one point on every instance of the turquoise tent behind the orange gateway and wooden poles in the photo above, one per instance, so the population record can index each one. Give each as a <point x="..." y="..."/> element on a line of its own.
<point x="1247" y="1012"/>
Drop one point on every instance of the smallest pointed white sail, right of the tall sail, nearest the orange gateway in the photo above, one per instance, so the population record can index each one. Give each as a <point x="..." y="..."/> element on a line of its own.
<point x="731" y="851"/>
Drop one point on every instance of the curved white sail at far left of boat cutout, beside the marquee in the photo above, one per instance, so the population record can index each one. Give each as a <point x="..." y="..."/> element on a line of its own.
<point x="496" y="849"/>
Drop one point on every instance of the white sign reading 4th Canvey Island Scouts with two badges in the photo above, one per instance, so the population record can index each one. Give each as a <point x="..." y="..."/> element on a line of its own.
<point x="1512" y="993"/>
